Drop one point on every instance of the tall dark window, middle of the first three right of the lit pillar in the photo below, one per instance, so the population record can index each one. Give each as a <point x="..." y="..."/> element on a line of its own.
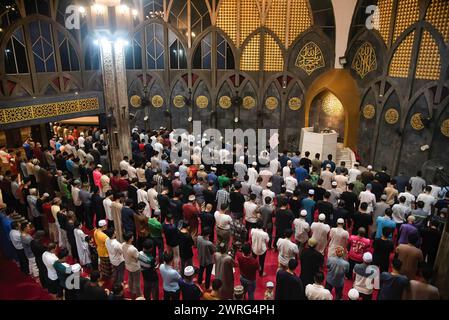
<point x="154" y="39"/>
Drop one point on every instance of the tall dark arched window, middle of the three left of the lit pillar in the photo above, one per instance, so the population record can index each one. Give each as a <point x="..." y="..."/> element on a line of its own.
<point x="42" y="46"/>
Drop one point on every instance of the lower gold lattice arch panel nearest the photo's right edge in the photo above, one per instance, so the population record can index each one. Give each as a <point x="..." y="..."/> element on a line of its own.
<point x="429" y="62"/>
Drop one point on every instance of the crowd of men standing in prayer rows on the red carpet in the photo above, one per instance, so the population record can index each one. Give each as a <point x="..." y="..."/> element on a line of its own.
<point x="65" y="213"/>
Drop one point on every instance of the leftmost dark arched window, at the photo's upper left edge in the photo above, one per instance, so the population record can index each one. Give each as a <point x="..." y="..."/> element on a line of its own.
<point x="15" y="54"/>
